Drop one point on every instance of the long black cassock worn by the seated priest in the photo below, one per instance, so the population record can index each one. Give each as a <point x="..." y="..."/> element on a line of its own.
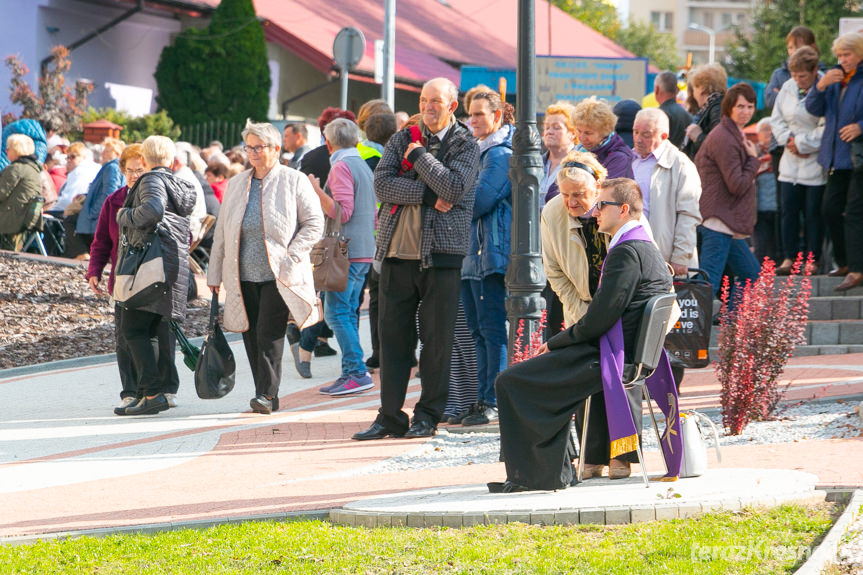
<point x="537" y="398"/>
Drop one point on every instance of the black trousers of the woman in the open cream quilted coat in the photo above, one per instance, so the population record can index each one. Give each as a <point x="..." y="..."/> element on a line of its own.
<point x="265" y="338"/>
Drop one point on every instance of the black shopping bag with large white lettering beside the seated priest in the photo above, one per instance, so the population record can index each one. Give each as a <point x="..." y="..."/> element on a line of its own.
<point x="688" y="341"/>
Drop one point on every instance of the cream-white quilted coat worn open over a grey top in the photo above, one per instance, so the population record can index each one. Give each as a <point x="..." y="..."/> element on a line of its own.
<point x="293" y="223"/>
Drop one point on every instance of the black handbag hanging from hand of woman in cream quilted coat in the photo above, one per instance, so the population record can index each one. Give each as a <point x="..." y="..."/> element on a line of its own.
<point x="216" y="368"/>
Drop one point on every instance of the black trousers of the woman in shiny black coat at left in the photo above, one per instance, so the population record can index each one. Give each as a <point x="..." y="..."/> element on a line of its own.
<point x="152" y="355"/>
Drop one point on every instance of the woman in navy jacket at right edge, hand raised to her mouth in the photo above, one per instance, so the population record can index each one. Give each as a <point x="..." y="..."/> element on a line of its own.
<point x="838" y="96"/>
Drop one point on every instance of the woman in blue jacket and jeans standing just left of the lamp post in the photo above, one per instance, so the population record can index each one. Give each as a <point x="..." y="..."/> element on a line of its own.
<point x="483" y="289"/>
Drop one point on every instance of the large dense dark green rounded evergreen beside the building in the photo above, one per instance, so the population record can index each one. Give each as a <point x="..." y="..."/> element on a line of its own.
<point x="219" y="72"/>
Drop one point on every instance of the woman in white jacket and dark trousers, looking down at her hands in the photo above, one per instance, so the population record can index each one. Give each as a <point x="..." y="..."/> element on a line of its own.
<point x="801" y="178"/>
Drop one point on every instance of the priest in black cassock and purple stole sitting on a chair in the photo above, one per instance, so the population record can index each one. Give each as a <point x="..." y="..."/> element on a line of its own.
<point x="537" y="398"/>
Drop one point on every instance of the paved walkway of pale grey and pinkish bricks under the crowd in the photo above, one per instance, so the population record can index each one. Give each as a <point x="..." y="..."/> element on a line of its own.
<point x="67" y="463"/>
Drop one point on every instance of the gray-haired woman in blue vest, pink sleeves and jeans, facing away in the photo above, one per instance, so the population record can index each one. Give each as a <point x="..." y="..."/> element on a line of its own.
<point x="349" y="195"/>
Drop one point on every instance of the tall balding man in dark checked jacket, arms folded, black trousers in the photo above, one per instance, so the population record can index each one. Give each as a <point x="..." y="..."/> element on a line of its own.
<point x="426" y="190"/>
